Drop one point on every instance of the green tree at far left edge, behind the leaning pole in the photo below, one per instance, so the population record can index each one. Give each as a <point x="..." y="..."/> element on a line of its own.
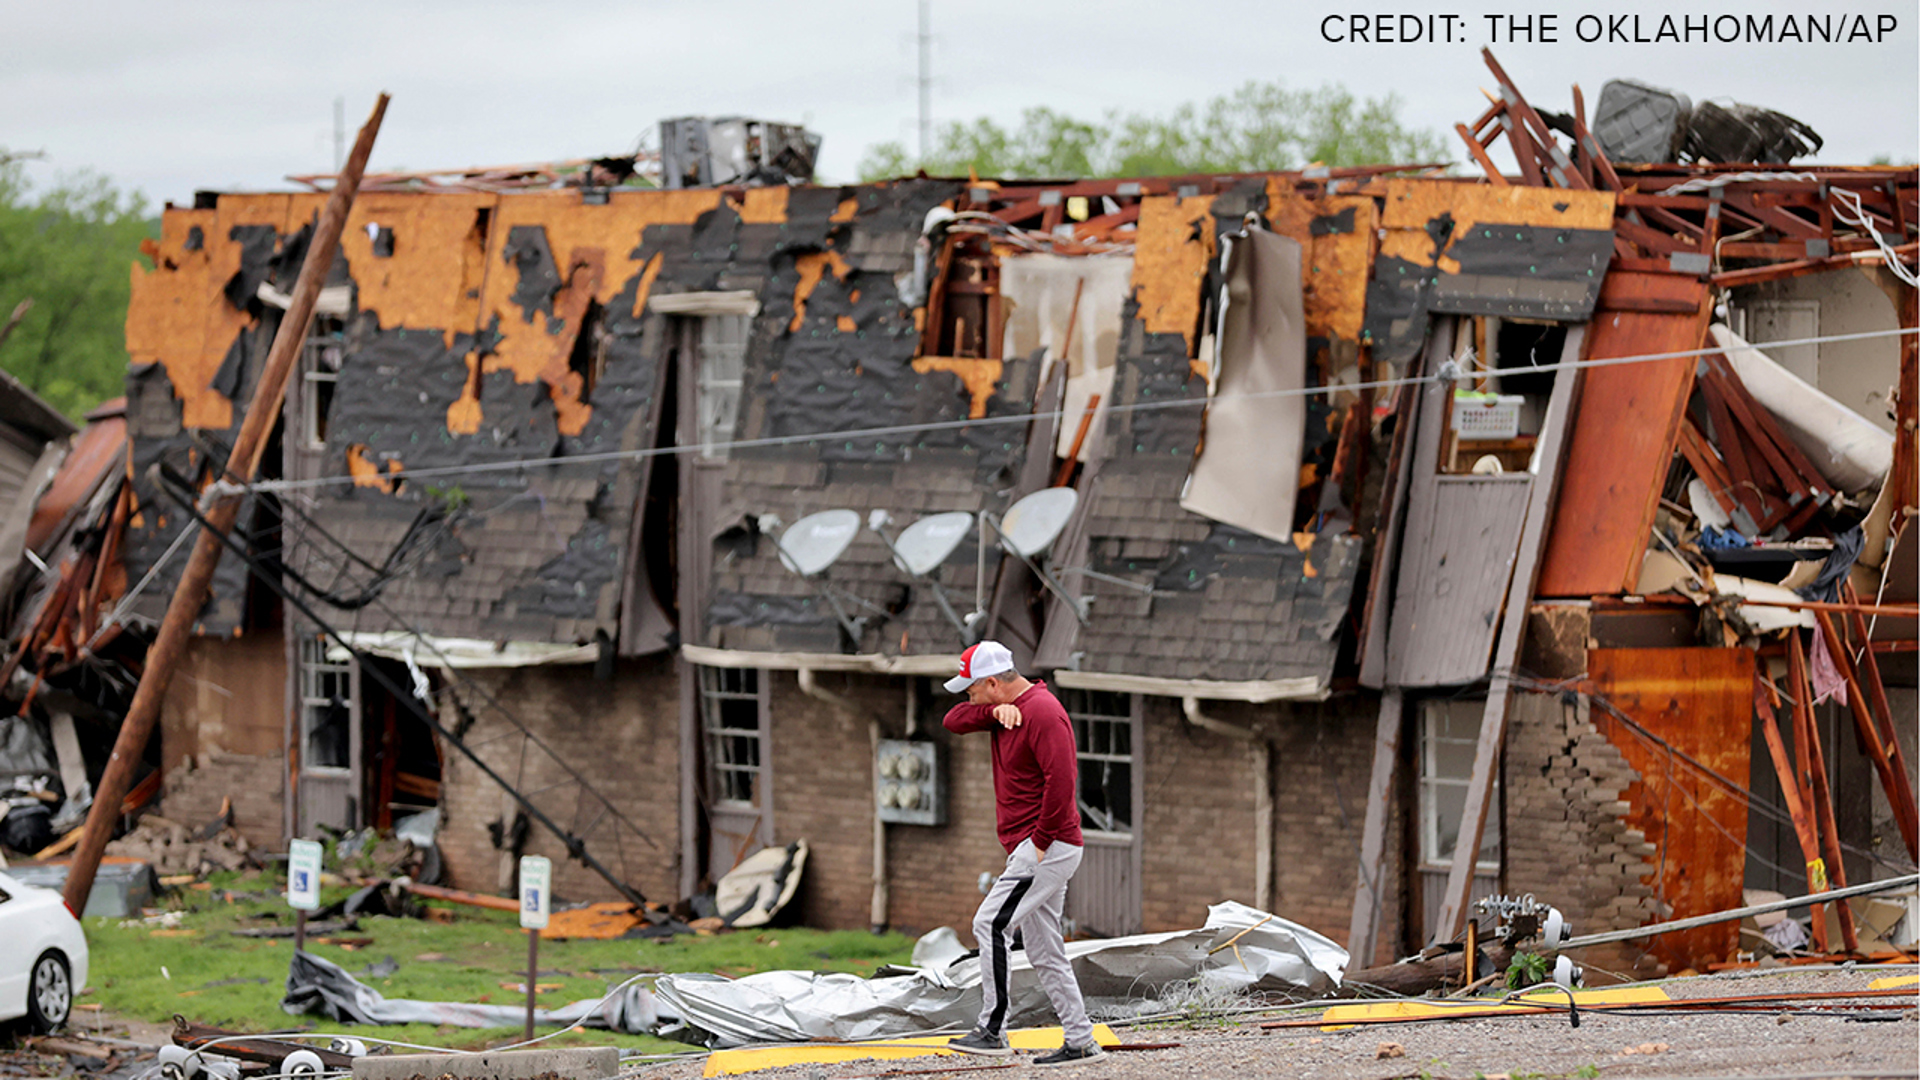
<point x="68" y="251"/>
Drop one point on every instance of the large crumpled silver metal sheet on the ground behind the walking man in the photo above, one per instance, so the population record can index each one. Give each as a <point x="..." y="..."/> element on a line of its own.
<point x="1239" y="948"/>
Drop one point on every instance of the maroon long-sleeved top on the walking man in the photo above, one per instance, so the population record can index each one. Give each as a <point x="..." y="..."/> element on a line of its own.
<point x="1036" y="772"/>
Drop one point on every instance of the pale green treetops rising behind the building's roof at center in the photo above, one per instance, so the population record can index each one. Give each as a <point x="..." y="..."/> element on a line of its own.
<point x="1259" y="128"/>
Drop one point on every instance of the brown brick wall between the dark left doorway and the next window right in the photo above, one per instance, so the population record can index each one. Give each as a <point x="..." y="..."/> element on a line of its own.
<point x="623" y="735"/>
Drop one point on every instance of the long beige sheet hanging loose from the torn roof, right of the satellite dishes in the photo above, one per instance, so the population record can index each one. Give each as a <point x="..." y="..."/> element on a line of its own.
<point x="1249" y="466"/>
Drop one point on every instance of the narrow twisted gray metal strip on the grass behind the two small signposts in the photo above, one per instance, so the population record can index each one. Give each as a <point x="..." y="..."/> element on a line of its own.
<point x="325" y="989"/>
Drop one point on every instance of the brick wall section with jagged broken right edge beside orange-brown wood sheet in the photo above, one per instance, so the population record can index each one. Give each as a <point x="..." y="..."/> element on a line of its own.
<point x="1568" y="839"/>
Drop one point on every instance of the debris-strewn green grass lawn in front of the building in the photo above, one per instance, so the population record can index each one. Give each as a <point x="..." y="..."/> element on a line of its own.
<point x="212" y="977"/>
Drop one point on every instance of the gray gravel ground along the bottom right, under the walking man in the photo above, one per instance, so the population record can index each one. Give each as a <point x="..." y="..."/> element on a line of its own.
<point x="1777" y="1043"/>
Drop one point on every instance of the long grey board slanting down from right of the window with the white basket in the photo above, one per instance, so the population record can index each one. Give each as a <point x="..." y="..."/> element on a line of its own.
<point x="1554" y="439"/>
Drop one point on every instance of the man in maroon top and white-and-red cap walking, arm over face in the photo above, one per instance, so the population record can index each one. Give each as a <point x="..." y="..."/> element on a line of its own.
<point x="1038" y="814"/>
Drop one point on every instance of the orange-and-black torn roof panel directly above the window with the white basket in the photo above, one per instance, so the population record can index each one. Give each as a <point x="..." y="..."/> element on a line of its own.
<point x="1483" y="251"/>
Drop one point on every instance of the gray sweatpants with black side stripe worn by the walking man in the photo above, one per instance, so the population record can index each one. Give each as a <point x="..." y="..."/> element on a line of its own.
<point x="1030" y="898"/>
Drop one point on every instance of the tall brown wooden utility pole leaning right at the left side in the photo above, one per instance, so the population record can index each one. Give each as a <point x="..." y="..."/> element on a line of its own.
<point x="222" y="512"/>
